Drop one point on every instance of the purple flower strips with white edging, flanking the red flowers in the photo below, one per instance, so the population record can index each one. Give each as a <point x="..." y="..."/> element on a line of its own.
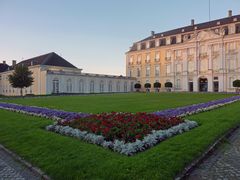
<point x="68" y="116"/>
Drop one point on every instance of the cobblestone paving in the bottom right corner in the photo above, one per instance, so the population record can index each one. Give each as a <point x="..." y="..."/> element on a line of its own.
<point x="223" y="164"/>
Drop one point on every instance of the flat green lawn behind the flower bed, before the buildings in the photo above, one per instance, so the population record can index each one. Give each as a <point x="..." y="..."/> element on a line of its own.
<point x="135" y="102"/>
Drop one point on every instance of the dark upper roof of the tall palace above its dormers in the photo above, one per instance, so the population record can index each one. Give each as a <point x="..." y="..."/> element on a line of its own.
<point x="199" y="26"/>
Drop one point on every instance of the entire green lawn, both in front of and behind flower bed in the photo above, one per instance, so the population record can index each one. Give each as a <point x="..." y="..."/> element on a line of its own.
<point x="68" y="158"/>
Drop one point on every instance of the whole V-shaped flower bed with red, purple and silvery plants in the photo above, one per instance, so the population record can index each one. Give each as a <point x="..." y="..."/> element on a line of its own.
<point x="125" y="133"/>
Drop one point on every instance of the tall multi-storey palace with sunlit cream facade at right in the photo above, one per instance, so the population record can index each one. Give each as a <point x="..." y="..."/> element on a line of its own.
<point x="199" y="57"/>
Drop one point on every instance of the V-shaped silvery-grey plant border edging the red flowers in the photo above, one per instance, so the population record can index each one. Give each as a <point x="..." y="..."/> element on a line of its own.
<point x="129" y="148"/>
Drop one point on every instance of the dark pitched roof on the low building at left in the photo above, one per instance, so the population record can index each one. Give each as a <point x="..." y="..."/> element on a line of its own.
<point x="50" y="59"/>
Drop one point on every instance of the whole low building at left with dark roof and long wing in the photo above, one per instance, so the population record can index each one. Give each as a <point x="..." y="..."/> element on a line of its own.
<point x="53" y="74"/>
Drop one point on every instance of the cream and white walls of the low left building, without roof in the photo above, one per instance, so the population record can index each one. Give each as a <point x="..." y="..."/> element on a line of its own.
<point x="43" y="82"/>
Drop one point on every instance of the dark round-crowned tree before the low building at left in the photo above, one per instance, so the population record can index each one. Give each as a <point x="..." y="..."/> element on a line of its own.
<point x="21" y="77"/>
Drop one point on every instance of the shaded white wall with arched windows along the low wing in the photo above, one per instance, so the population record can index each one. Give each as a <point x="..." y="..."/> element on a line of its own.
<point x="78" y="80"/>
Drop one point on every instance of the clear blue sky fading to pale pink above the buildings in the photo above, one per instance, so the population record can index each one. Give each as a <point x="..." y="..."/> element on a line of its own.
<point x="94" y="34"/>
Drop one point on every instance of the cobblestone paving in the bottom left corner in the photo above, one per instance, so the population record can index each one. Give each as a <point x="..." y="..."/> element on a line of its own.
<point x="11" y="169"/>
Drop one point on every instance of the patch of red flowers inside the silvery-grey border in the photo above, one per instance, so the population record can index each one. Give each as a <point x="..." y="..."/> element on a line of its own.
<point x="127" y="127"/>
